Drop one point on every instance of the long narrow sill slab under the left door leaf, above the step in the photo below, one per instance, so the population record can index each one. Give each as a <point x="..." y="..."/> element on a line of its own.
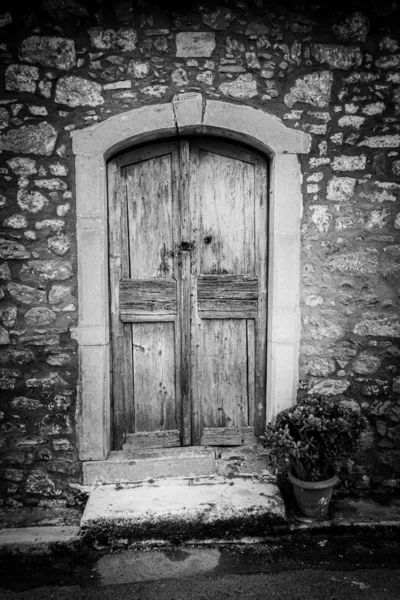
<point x="138" y="465"/>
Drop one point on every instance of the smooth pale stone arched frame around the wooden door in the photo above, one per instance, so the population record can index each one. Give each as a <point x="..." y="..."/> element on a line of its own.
<point x="186" y="114"/>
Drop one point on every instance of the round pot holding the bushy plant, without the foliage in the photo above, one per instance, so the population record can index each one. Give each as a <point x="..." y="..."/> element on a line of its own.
<point x="313" y="497"/>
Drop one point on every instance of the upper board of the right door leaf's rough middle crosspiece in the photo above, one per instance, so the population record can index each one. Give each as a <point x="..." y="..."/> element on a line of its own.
<point x="239" y="287"/>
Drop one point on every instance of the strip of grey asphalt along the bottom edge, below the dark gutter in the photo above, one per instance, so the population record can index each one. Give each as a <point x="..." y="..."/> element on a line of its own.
<point x="373" y="584"/>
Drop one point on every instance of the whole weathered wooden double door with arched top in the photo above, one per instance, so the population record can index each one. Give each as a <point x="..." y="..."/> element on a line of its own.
<point x="187" y="246"/>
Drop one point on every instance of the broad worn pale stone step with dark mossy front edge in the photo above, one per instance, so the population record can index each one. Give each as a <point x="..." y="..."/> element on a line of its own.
<point x="183" y="509"/>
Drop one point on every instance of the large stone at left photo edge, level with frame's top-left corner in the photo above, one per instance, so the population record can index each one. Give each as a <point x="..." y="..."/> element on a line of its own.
<point x="30" y="139"/>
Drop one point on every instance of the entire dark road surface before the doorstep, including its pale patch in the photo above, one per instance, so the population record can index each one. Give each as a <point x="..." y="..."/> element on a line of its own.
<point x="347" y="566"/>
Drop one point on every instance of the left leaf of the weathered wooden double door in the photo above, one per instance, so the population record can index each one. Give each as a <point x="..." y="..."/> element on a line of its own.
<point x="144" y="231"/>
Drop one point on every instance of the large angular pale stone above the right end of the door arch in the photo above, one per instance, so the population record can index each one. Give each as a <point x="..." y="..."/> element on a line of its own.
<point x="314" y="89"/>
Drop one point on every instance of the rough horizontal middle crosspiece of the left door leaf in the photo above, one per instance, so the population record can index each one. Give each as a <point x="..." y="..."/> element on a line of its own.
<point x="138" y="296"/>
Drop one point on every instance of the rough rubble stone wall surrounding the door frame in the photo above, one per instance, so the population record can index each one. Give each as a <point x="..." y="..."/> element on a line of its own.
<point x="334" y="74"/>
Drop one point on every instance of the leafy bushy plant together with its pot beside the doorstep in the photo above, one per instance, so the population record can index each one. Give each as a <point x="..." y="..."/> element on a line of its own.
<point x="310" y="442"/>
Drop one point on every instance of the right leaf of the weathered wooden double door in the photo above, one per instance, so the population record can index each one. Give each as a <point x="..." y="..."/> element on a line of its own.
<point x="228" y="209"/>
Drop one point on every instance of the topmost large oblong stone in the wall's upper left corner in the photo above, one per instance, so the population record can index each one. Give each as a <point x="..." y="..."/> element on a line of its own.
<point x="49" y="51"/>
